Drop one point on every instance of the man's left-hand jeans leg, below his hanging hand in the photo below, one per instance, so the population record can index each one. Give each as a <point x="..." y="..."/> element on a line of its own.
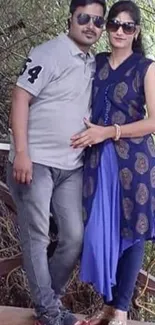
<point x="33" y="202"/>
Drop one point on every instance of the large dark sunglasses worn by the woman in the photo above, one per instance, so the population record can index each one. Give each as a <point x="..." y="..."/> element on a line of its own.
<point x="129" y="28"/>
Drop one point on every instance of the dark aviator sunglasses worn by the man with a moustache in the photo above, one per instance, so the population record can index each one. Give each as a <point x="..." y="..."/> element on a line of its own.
<point x="84" y="19"/>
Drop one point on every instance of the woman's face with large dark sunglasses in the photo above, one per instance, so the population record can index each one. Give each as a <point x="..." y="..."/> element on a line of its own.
<point x="122" y="31"/>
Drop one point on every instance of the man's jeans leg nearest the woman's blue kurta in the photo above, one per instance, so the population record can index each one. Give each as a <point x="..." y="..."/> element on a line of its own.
<point x="67" y="210"/>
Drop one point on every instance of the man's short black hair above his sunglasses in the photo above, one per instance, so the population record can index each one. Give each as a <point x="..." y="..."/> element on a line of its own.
<point x="82" y="3"/>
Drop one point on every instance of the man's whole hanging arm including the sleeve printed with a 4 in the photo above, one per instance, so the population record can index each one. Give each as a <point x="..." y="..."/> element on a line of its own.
<point x="37" y="72"/>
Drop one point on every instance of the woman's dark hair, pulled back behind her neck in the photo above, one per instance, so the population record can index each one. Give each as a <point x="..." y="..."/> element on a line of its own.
<point x="134" y="11"/>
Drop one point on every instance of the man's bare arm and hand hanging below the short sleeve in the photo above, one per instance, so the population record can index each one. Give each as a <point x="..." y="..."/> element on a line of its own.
<point x="22" y="165"/>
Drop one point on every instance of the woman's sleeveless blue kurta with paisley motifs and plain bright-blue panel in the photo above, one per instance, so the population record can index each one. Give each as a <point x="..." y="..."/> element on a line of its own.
<point x="119" y="177"/>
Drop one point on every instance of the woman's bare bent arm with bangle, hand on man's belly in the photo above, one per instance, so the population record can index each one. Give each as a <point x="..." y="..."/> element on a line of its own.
<point x="96" y="134"/>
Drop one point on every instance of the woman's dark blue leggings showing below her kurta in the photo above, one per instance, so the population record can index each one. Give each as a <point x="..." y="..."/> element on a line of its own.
<point x="127" y="271"/>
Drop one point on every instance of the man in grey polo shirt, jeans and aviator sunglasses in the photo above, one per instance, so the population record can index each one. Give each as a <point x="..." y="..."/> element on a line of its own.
<point x="50" y="101"/>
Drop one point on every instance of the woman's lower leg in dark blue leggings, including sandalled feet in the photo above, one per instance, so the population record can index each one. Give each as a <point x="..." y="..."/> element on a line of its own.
<point x="127" y="272"/>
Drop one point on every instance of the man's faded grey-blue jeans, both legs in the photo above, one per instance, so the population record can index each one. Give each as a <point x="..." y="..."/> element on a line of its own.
<point x="61" y="190"/>
